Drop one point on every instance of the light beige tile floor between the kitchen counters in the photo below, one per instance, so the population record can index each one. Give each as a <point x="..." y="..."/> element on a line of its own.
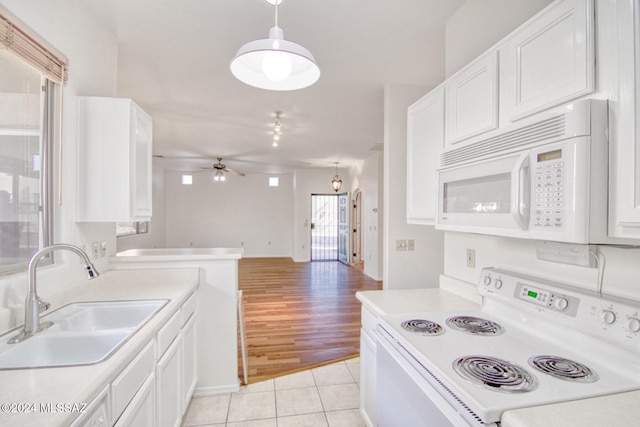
<point x="327" y="396"/>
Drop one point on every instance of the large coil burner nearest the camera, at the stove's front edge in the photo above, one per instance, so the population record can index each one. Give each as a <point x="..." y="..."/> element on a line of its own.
<point x="496" y="374"/>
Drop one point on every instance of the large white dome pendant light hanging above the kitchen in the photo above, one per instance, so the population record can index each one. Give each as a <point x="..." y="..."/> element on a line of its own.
<point x="275" y="63"/>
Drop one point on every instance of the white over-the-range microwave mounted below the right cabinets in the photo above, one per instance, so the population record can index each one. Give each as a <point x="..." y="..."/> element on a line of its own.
<point x="544" y="178"/>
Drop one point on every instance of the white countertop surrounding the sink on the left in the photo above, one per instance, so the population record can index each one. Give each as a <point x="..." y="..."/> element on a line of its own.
<point x="78" y="385"/>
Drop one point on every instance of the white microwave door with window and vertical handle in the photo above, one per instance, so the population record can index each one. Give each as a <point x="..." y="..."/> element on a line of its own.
<point x="488" y="197"/>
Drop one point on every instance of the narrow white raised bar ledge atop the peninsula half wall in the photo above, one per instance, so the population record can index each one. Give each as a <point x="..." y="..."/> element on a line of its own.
<point x="177" y="254"/>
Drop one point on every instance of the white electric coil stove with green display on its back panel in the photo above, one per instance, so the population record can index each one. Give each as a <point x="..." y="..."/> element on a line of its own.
<point x="533" y="342"/>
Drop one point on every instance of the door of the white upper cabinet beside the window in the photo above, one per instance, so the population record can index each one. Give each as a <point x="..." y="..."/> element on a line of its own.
<point x="142" y="174"/>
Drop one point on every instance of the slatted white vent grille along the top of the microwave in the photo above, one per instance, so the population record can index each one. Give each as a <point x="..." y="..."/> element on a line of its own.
<point x="543" y="131"/>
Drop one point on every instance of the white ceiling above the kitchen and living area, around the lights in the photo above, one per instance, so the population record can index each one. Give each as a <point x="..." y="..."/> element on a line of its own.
<point x="174" y="62"/>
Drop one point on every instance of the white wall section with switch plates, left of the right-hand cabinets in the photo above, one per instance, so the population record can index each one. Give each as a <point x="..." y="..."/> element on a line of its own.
<point x="404" y="269"/>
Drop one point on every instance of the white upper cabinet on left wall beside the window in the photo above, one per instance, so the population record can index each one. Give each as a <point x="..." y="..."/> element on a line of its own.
<point x="115" y="153"/>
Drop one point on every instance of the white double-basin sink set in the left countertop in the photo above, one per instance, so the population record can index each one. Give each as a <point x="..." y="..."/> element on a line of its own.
<point x="83" y="333"/>
